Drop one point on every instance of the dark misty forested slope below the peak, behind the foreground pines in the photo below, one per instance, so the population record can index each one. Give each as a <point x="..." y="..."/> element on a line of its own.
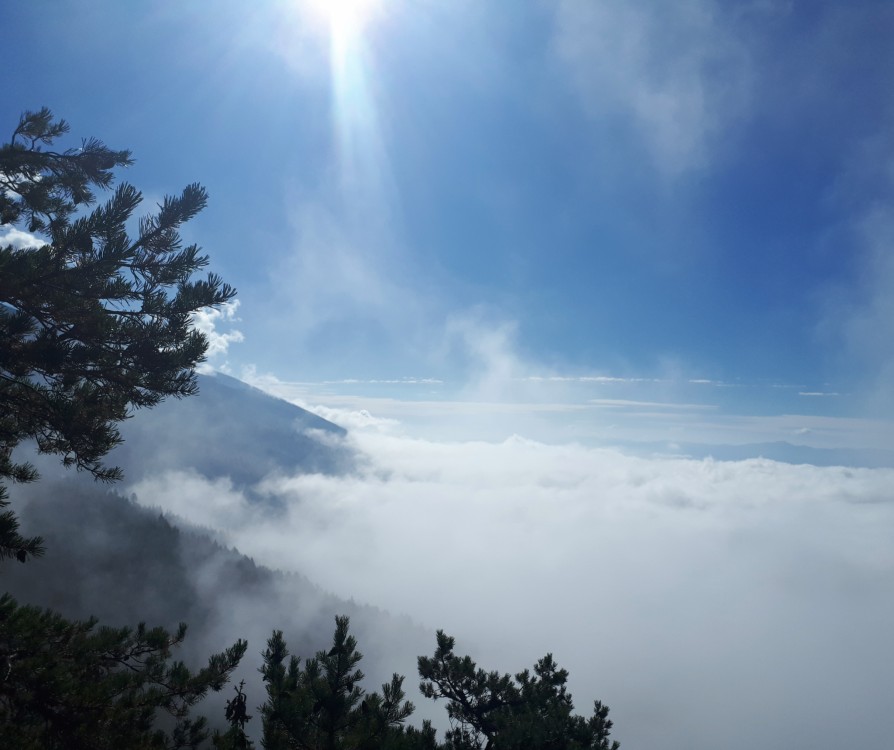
<point x="111" y="558"/>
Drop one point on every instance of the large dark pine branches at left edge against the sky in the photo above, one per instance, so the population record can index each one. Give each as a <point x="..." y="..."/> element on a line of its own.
<point x="93" y="323"/>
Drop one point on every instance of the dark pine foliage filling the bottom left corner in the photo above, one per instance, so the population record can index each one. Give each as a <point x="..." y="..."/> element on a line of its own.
<point x="71" y="684"/>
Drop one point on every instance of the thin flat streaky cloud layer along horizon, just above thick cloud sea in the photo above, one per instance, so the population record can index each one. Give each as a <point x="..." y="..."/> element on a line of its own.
<point x="566" y="415"/>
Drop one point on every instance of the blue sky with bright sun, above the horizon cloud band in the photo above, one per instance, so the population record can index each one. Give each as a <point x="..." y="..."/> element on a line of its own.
<point x="680" y="203"/>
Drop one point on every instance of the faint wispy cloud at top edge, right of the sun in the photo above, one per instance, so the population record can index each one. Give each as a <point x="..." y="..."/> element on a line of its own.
<point x="676" y="70"/>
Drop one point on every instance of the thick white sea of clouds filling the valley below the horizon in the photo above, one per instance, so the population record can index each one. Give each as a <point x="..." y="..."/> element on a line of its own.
<point x="692" y="596"/>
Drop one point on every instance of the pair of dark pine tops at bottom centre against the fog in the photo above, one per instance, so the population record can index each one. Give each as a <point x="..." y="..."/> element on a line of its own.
<point x="322" y="706"/>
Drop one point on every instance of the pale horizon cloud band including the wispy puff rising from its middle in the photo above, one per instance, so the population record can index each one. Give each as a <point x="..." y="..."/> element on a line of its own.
<point x="500" y="400"/>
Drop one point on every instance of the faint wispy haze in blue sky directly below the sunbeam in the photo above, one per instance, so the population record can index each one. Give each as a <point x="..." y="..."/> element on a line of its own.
<point x="347" y="285"/>
